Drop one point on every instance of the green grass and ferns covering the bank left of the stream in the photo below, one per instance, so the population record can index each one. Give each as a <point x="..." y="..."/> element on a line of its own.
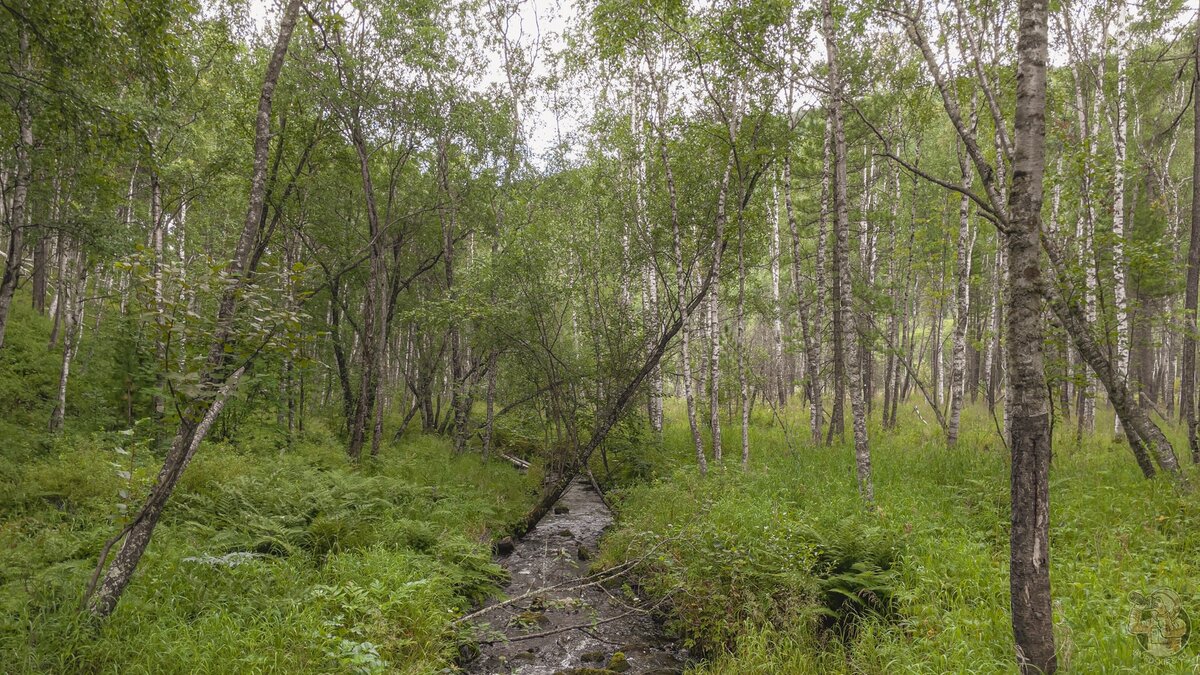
<point x="262" y="563"/>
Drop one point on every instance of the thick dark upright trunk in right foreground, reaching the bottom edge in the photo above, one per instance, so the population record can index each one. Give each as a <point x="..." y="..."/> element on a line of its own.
<point x="1029" y="397"/>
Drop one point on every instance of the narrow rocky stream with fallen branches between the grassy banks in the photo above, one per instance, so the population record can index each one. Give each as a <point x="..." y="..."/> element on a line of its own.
<point x="559" y="622"/>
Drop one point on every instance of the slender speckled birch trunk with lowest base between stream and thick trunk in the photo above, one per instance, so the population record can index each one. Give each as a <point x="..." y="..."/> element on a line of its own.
<point x="842" y="262"/>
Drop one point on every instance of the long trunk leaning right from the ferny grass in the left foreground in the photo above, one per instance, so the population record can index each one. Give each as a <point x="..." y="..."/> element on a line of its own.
<point x="202" y="413"/>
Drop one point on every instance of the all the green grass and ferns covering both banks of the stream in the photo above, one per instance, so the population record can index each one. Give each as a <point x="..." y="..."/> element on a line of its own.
<point x="286" y="558"/>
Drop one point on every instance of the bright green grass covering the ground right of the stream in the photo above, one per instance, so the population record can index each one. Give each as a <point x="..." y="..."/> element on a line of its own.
<point x="758" y="561"/>
